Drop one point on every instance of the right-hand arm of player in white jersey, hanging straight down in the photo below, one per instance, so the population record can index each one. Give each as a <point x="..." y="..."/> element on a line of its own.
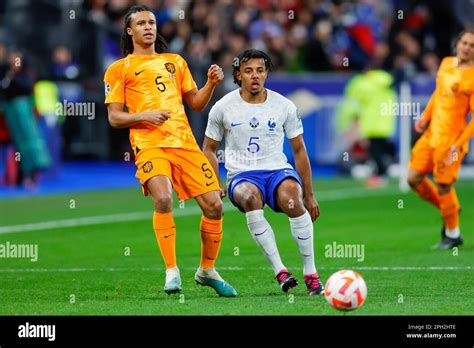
<point x="303" y="168"/>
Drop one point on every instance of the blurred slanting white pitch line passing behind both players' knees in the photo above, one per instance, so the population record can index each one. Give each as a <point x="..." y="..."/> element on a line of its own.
<point x="322" y="196"/>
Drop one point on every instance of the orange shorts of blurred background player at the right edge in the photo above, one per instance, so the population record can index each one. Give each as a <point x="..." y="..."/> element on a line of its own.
<point x="426" y="159"/>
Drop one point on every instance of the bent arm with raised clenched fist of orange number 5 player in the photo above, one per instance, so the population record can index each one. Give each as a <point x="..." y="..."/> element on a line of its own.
<point x="198" y="99"/>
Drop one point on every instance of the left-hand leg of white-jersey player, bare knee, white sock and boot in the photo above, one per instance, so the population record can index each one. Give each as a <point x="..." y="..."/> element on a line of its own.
<point x="248" y="197"/>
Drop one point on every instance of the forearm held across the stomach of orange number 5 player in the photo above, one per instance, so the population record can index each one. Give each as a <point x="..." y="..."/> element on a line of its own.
<point x="121" y="119"/>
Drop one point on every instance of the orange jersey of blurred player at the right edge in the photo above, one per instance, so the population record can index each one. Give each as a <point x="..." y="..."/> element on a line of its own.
<point x="450" y="103"/>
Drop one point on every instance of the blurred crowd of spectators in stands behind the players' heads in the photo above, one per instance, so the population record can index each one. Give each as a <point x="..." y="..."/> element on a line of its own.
<point x="302" y="35"/>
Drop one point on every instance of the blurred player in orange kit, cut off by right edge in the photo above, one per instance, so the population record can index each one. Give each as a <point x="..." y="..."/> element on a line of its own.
<point x="444" y="144"/>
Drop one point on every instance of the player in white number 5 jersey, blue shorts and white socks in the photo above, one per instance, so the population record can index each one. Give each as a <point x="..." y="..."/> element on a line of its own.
<point x="254" y="121"/>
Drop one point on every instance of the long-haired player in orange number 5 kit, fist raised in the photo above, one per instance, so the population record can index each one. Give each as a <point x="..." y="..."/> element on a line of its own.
<point x="152" y="85"/>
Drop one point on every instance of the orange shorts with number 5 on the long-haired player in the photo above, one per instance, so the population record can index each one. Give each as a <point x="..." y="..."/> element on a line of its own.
<point x="189" y="171"/>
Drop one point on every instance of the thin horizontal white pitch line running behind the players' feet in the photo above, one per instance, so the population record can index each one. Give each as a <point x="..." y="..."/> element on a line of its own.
<point x="234" y="268"/>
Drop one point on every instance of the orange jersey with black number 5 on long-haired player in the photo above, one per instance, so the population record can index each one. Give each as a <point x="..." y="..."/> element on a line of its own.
<point x="153" y="82"/>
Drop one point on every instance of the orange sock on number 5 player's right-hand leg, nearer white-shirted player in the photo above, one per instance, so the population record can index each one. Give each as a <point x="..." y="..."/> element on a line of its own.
<point x="211" y="236"/>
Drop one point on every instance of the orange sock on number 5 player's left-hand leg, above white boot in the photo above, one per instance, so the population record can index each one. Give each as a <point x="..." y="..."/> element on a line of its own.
<point x="165" y="231"/>
